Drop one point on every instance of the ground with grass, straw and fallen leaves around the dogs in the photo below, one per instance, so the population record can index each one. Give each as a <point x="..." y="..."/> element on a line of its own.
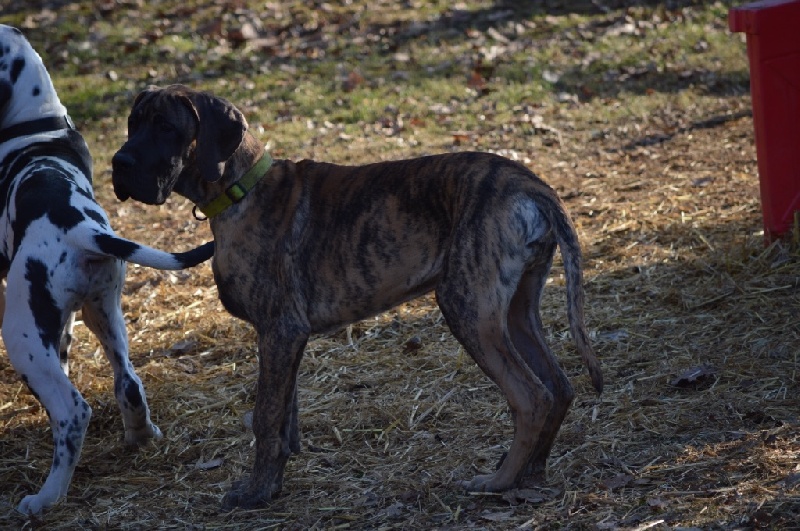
<point x="638" y="113"/>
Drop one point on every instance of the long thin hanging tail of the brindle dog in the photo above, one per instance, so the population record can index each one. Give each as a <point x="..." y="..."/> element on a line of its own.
<point x="571" y="254"/>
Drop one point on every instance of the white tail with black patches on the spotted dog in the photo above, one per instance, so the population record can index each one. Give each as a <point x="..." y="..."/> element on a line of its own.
<point x="109" y="244"/>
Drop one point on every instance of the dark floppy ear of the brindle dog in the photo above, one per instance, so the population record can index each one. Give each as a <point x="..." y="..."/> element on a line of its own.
<point x="220" y="130"/>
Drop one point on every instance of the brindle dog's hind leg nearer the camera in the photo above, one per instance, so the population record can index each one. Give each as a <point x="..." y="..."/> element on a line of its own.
<point x="476" y="314"/>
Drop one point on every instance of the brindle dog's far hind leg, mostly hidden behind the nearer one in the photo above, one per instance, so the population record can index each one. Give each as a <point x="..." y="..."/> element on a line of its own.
<point x="527" y="333"/>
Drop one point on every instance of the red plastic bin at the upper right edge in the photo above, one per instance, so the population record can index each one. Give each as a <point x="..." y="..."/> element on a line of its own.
<point x="773" y="49"/>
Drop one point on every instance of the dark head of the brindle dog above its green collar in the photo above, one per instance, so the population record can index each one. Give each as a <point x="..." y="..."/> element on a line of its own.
<point x="173" y="132"/>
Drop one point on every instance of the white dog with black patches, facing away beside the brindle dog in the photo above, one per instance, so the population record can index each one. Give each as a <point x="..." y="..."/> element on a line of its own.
<point x="59" y="254"/>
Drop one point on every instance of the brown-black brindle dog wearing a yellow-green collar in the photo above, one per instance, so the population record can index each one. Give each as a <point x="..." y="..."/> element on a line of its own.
<point x="306" y="248"/>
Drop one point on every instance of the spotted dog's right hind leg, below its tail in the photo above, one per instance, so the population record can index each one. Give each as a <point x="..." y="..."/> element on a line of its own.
<point x="102" y="314"/>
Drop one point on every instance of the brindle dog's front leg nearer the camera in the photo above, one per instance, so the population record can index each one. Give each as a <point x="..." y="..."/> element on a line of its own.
<point x="274" y="417"/>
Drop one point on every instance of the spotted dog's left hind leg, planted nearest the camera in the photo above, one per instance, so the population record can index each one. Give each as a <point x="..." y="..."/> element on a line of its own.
<point x="31" y="340"/>
